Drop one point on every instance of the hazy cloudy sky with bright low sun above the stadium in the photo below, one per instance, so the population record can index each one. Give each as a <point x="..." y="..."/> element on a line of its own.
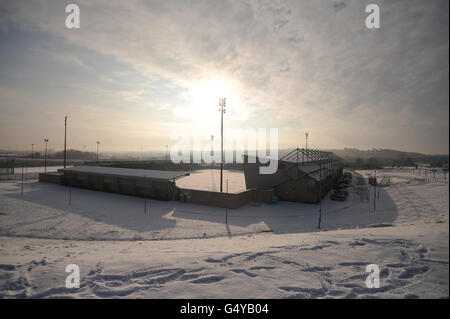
<point x="135" y="72"/>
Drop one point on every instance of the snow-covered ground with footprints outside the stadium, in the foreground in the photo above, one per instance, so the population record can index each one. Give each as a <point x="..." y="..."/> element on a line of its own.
<point x="128" y="247"/>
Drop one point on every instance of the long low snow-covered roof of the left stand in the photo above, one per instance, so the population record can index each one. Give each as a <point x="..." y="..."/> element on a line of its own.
<point x="126" y="172"/>
